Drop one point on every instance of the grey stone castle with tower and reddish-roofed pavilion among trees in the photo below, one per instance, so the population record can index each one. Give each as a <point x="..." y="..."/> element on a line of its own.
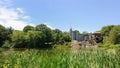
<point x="80" y="37"/>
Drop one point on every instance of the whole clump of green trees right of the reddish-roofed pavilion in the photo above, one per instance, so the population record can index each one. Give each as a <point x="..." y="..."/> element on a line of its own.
<point x="111" y="34"/>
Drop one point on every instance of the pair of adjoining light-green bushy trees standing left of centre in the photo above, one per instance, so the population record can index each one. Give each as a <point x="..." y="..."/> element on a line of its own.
<point x="31" y="39"/>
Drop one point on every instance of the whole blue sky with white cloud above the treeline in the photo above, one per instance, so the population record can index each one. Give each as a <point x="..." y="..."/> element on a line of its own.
<point x="82" y="15"/>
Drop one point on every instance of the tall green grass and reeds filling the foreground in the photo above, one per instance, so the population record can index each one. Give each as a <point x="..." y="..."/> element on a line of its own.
<point x="60" y="58"/>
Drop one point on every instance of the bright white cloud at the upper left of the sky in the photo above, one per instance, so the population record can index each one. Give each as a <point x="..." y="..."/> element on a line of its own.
<point x="13" y="17"/>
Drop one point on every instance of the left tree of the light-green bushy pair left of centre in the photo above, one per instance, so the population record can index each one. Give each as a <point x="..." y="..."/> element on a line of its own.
<point x="20" y="39"/>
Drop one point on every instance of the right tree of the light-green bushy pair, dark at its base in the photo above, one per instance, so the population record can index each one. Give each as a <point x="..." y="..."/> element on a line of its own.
<point x="36" y="39"/>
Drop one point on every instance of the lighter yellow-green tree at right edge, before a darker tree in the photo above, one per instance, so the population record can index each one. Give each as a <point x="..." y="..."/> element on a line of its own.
<point x="114" y="35"/>
